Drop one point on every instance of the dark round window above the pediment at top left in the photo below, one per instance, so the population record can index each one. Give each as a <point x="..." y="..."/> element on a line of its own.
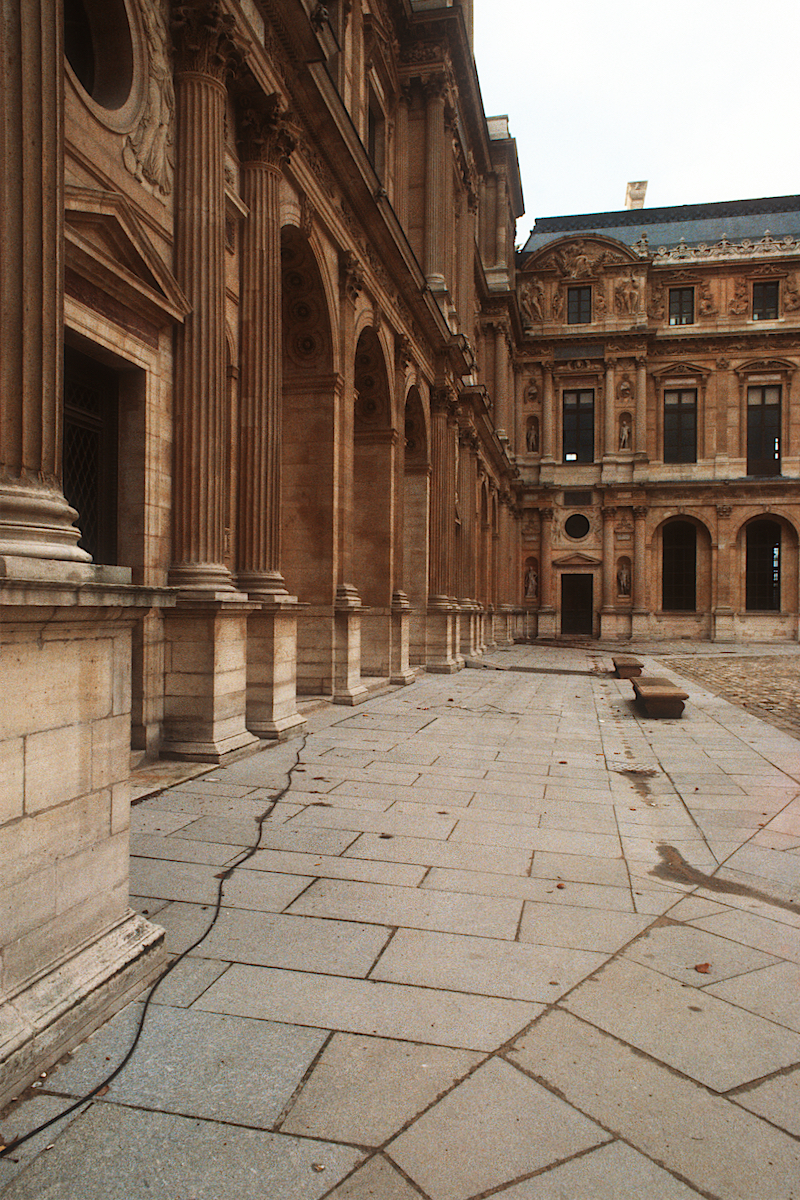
<point x="99" y="47"/>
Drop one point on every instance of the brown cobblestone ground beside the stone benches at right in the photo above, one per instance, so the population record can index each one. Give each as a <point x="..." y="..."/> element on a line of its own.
<point x="767" y="686"/>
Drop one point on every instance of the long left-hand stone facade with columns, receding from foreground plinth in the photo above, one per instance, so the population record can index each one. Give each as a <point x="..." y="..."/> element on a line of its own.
<point x="257" y="422"/>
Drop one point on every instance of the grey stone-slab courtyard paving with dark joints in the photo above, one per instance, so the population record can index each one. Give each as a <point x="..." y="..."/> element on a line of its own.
<point x="502" y="937"/>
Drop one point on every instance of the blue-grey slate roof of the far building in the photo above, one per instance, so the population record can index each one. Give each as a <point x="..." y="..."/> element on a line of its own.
<point x="666" y="227"/>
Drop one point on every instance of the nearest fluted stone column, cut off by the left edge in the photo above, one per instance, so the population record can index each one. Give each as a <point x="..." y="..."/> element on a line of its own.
<point x="35" y="518"/>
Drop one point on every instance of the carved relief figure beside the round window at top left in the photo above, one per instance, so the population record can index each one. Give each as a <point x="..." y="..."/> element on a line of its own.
<point x="146" y="153"/>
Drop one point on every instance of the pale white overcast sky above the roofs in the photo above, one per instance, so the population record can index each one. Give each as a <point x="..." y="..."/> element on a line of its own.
<point x="700" y="98"/>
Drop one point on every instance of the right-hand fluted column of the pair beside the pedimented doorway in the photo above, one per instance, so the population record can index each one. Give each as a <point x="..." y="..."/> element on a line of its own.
<point x="266" y="146"/>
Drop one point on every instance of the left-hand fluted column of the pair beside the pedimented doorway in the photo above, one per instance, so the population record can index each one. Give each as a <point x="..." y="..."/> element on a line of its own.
<point x="206" y="52"/>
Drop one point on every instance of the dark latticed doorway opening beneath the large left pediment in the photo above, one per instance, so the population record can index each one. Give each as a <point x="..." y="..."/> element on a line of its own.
<point x="91" y="436"/>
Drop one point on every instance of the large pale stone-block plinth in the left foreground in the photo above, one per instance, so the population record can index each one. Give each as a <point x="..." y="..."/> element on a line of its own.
<point x="71" y="951"/>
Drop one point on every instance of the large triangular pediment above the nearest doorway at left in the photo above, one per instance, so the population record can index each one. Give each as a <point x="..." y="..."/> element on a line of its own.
<point x="107" y="245"/>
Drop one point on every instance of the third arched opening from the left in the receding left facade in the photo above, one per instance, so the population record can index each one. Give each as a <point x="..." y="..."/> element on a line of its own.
<point x="417" y="487"/>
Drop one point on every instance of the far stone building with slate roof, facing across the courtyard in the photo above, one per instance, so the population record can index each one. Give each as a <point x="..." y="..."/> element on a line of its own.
<point x="659" y="425"/>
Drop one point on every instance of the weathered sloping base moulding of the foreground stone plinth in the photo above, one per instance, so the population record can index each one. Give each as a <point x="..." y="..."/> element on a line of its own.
<point x="61" y="1009"/>
